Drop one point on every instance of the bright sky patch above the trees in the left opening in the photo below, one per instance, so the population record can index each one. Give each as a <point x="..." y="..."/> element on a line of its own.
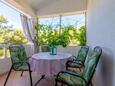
<point x="11" y="15"/>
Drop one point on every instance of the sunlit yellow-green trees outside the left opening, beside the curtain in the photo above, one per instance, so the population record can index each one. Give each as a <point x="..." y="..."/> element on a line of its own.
<point x="8" y="35"/>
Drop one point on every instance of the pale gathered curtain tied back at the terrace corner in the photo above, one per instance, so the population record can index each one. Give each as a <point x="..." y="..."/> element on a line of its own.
<point x="29" y="30"/>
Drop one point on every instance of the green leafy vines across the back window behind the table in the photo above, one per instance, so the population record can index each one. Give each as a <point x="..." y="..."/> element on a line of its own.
<point x="46" y="34"/>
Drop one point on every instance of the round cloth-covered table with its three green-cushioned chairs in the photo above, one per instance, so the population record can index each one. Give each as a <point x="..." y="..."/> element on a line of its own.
<point x="68" y="69"/>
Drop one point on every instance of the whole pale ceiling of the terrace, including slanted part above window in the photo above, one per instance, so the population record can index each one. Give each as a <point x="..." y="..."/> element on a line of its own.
<point x="47" y="7"/>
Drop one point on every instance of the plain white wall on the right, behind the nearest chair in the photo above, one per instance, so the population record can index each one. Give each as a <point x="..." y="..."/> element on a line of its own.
<point x="101" y="31"/>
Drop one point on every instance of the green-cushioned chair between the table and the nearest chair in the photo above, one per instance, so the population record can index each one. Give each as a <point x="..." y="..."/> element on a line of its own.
<point x="78" y="62"/>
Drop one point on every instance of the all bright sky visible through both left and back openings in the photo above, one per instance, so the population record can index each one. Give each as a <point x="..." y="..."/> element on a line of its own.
<point x="13" y="18"/>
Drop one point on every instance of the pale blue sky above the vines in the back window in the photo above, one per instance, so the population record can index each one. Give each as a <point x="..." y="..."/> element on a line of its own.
<point x="77" y="20"/>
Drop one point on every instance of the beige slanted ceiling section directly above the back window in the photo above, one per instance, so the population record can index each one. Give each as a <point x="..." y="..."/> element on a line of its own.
<point x="62" y="6"/>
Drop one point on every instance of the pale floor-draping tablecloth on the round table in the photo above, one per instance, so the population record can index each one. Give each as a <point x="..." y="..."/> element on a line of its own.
<point x="46" y="64"/>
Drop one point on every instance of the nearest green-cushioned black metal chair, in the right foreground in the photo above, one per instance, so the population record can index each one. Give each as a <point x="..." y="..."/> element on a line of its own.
<point x="77" y="78"/>
